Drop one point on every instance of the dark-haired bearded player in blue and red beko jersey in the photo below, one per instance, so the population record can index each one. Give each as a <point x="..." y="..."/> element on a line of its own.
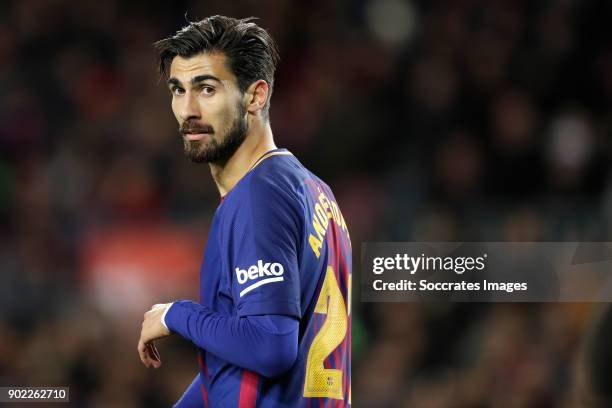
<point x="273" y="322"/>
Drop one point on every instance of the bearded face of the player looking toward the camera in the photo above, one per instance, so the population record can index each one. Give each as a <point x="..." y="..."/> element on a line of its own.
<point x="208" y="106"/>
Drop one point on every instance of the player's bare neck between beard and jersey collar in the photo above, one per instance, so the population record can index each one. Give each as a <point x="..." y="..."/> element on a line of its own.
<point x="258" y="141"/>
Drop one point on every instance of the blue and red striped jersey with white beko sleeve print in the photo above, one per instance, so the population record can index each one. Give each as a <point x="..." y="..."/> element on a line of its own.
<point x="279" y="245"/>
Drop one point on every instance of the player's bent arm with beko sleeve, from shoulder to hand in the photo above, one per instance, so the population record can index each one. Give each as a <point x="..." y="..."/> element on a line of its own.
<point x="263" y="336"/>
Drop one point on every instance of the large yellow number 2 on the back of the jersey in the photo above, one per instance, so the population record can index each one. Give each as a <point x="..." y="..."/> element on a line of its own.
<point x="321" y="381"/>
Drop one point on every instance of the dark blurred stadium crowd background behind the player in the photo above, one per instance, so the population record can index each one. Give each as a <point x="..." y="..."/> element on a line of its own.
<point x="431" y="120"/>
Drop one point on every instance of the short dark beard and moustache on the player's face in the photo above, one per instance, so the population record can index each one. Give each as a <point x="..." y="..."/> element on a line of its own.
<point x="213" y="151"/>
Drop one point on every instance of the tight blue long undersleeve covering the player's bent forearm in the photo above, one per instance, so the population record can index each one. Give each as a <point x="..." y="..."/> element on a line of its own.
<point x="266" y="344"/>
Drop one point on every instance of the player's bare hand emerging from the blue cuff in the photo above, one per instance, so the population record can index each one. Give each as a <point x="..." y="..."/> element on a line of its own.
<point x="152" y="329"/>
